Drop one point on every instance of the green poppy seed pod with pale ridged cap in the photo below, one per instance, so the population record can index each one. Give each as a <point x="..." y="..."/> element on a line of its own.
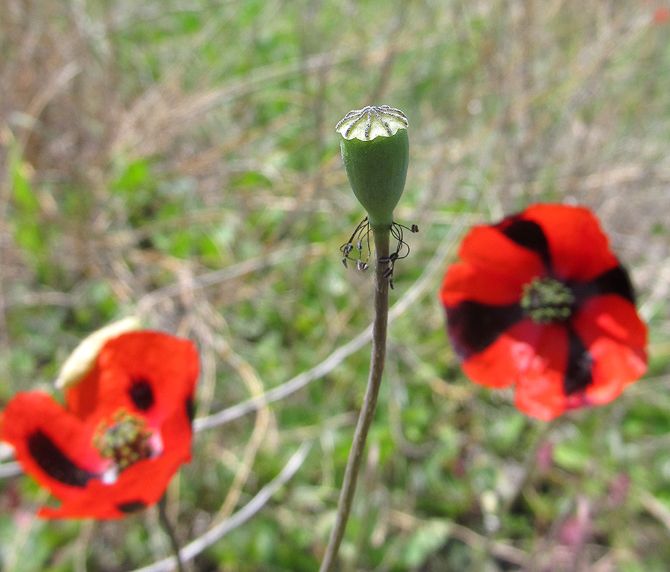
<point x="375" y="151"/>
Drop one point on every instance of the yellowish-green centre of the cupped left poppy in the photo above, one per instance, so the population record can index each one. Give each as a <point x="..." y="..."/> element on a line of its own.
<point x="125" y="441"/>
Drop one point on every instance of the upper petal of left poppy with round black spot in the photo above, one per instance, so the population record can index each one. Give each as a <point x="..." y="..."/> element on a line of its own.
<point x="165" y="366"/>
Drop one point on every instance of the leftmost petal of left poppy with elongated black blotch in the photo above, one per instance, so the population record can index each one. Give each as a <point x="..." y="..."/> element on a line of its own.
<point x="64" y="443"/>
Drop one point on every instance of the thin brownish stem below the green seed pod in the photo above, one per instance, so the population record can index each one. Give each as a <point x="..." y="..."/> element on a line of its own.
<point x="379" y="327"/>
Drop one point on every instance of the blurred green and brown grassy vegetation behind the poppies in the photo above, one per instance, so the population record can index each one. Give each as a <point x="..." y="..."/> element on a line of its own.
<point x="177" y="159"/>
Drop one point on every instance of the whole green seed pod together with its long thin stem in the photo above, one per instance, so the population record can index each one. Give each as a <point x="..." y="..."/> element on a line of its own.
<point x="375" y="153"/>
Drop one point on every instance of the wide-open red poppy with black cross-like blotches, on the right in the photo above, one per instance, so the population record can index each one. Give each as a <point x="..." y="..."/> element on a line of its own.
<point x="539" y="301"/>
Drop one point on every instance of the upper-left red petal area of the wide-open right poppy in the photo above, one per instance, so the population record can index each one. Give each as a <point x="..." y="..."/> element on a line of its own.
<point x="493" y="271"/>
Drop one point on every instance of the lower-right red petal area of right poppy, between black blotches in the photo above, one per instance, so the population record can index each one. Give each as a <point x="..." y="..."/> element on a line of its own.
<point x="616" y="339"/>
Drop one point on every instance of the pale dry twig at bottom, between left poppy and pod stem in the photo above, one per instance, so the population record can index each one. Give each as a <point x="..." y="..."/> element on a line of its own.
<point x="214" y="534"/>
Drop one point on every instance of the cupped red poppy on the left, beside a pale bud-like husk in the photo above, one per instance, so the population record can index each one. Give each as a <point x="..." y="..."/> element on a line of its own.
<point x="124" y="431"/>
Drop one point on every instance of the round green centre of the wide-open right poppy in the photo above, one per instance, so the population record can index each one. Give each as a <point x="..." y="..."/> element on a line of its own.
<point x="547" y="300"/>
